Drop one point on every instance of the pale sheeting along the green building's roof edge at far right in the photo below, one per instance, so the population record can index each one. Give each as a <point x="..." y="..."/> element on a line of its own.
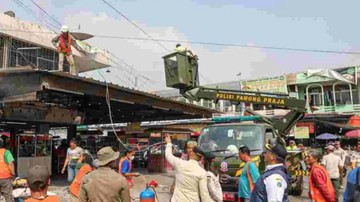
<point x="348" y="74"/>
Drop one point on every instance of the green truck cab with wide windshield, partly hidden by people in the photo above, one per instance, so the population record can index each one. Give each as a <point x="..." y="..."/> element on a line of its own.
<point x="224" y="139"/>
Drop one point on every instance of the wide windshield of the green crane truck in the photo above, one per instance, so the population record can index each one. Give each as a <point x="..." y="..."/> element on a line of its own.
<point x="228" y="138"/>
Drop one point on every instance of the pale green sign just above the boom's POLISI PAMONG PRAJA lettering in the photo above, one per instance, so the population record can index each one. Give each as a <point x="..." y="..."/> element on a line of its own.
<point x="276" y="84"/>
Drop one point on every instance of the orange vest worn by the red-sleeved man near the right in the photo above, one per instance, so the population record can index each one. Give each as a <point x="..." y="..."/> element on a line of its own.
<point x="315" y="193"/>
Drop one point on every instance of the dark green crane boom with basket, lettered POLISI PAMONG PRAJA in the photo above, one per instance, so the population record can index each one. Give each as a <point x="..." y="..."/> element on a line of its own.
<point x="182" y="73"/>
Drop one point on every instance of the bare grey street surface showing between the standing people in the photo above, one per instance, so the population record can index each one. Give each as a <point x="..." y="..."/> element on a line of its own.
<point x="163" y="191"/>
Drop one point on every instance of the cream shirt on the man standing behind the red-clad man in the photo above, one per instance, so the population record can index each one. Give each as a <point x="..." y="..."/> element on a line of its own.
<point x="332" y="163"/>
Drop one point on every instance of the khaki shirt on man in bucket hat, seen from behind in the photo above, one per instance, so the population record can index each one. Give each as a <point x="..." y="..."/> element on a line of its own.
<point x="104" y="185"/>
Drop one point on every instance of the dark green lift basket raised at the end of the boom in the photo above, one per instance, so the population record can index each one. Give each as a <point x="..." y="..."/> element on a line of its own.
<point x="181" y="71"/>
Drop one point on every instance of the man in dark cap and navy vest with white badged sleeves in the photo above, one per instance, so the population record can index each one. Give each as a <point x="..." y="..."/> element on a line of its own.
<point x="273" y="185"/>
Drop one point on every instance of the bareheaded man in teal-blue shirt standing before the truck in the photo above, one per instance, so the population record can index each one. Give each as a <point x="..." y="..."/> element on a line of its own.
<point x="249" y="175"/>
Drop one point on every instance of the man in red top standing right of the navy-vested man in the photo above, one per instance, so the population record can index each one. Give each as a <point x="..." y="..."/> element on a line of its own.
<point x="320" y="186"/>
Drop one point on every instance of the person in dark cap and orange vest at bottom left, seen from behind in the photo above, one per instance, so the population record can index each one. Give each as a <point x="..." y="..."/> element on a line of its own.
<point x="38" y="180"/>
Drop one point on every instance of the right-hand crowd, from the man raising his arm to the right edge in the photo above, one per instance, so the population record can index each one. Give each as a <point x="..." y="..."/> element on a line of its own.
<point x="325" y="179"/>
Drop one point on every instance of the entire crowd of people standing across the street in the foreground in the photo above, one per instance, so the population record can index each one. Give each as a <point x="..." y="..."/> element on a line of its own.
<point x="109" y="178"/>
